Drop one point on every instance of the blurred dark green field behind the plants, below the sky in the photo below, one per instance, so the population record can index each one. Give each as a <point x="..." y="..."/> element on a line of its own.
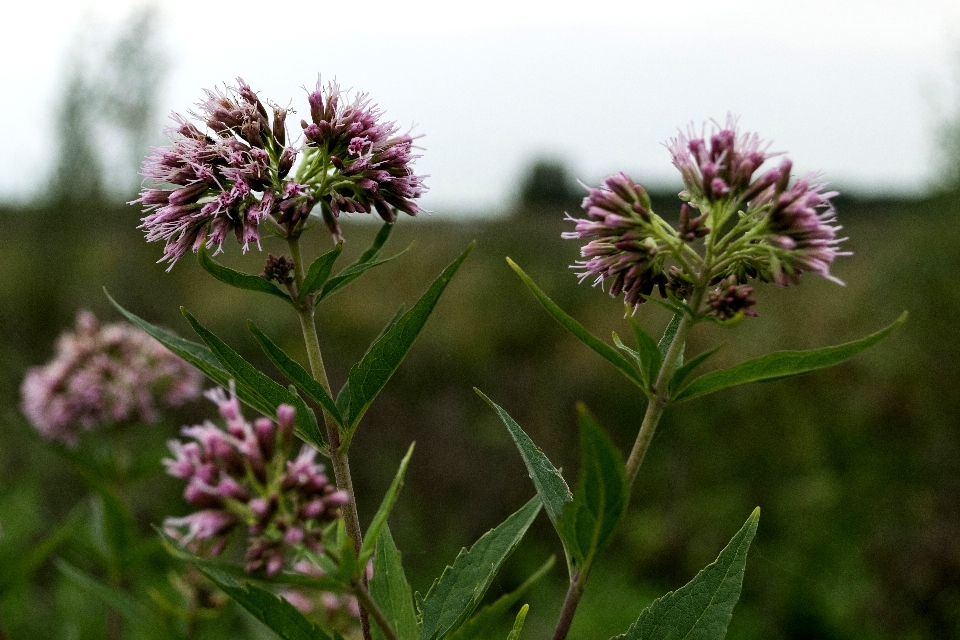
<point x="856" y="469"/>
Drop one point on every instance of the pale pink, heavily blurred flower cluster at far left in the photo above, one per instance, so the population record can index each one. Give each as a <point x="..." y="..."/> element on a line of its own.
<point x="101" y="376"/>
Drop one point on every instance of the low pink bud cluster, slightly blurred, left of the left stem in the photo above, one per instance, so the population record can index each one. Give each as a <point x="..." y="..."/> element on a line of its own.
<point x="241" y="476"/>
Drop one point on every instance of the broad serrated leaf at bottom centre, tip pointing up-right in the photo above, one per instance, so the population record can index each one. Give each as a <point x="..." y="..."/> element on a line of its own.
<point x="457" y="592"/>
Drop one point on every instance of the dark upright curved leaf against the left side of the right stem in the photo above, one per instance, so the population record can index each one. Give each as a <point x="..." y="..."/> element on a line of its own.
<point x="588" y="523"/>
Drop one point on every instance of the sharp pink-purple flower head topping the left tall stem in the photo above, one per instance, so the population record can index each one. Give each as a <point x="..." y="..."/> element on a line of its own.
<point x="239" y="171"/>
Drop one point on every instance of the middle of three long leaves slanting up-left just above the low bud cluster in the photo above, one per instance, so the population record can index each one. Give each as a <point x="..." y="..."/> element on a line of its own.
<point x="262" y="386"/>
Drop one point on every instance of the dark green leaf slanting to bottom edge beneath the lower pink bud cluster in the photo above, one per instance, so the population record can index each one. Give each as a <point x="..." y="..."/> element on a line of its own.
<point x="277" y="614"/>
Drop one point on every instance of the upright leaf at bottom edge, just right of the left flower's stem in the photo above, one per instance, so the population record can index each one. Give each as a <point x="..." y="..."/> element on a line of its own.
<point x="391" y="591"/>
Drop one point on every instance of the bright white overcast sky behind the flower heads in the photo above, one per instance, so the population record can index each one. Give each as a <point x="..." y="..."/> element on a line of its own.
<point x="848" y="87"/>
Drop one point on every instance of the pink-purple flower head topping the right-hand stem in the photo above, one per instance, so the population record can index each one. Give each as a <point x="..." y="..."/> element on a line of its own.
<point x="752" y="226"/>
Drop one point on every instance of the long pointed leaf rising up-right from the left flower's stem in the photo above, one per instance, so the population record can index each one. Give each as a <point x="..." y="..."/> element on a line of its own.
<point x="368" y="377"/>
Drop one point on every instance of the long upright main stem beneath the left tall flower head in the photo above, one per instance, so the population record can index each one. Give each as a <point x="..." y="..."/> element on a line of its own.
<point x="338" y="454"/>
